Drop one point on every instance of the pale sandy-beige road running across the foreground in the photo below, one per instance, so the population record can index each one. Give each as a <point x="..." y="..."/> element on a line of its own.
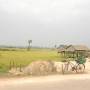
<point x="57" y="82"/>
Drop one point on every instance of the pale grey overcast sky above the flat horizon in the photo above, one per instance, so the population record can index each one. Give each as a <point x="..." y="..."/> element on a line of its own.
<point x="45" y="22"/>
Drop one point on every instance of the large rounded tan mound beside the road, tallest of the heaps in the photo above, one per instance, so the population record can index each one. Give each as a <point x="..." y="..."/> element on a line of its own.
<point x="39" y="68"/>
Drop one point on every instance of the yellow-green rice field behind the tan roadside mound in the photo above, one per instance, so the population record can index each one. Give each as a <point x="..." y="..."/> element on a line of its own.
<point x="24" y="57"/>
